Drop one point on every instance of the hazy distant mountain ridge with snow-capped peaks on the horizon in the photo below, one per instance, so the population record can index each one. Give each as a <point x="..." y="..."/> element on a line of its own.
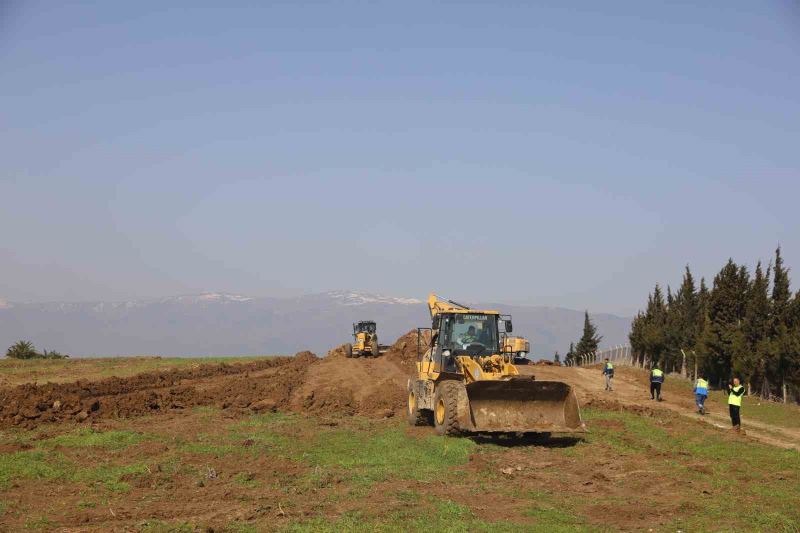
<point x="230" y="324"/>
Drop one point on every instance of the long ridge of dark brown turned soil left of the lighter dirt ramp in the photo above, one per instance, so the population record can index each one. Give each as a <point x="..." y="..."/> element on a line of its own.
<point x="223" y="385"/>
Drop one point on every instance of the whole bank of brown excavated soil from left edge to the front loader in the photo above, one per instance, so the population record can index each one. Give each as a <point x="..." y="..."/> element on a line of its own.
<point x="303" y="383"/>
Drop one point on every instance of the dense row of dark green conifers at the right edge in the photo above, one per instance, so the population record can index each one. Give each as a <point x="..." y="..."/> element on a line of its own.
<point x="745" y="326"/>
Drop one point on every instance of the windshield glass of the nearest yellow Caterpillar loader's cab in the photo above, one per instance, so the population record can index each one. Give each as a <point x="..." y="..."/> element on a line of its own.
<point x="470" y="334"/>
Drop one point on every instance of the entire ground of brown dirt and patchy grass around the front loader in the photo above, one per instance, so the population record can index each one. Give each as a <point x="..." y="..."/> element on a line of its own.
<point x="305" y="444"/>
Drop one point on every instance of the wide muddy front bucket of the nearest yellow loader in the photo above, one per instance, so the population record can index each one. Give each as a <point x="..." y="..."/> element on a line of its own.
<point x="523" y="405"/>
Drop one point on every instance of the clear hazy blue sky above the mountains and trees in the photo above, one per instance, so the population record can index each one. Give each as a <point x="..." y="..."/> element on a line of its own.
<point x="545" y="154"/>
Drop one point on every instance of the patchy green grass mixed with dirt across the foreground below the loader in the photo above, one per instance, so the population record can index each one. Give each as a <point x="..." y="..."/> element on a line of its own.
<point x="341" y="467"/>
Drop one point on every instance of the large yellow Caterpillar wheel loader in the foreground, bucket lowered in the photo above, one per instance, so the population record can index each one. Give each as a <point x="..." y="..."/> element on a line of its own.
<point x="465" y="383"/>
